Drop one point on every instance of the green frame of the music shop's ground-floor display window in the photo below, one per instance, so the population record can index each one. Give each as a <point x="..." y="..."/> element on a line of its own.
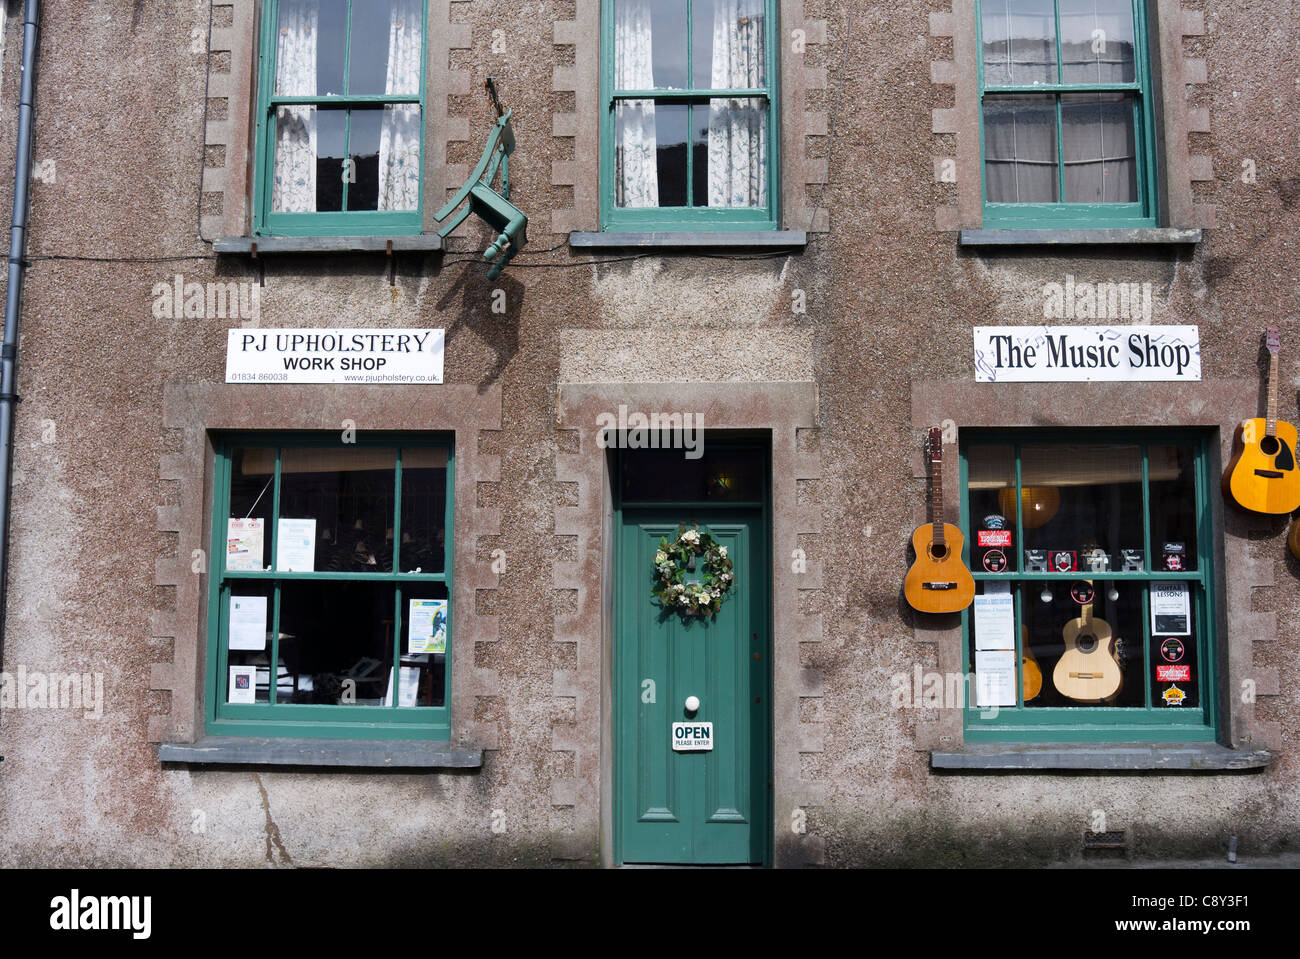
<point x="1149" y="719"/>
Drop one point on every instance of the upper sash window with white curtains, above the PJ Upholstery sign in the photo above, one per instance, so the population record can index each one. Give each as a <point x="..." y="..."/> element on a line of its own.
<point x="341" y="118"/>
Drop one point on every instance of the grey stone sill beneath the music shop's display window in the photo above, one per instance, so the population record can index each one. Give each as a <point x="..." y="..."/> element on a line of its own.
<point x="1178" y="757"/>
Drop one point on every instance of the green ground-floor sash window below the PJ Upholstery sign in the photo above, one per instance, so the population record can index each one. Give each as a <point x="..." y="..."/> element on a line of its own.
<point x="330" y="607"/>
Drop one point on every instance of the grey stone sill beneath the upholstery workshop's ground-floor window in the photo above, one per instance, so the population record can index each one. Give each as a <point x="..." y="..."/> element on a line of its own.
<point x="374" y="754"/>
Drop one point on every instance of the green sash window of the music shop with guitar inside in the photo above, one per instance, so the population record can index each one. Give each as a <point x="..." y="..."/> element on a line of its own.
<point x="1093" y="556"/>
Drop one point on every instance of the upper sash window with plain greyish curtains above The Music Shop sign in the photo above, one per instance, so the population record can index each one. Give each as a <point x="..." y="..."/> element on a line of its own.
<point x="1067" y="114"/>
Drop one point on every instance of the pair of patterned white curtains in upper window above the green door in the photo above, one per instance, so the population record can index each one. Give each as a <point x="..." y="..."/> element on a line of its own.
<point x="738" y="129"/>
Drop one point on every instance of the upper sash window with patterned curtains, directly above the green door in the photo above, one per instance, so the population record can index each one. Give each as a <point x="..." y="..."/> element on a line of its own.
<point x="690" y="125"/>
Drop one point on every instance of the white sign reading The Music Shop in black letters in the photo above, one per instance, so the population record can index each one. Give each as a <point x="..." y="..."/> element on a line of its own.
<point x="1078" y="354"/>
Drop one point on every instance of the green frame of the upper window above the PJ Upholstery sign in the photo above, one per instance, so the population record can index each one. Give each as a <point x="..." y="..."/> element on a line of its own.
<point x="359" y="223"/>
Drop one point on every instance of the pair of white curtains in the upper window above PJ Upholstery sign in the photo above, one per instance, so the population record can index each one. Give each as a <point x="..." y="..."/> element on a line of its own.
<point x="294" y="176"/>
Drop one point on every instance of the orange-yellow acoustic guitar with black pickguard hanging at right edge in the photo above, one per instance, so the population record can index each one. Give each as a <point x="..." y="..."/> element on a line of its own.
<point x="1263" y="476"/>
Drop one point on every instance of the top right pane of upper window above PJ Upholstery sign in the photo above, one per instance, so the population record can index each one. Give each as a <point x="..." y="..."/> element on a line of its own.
<point x="387" y="51"/>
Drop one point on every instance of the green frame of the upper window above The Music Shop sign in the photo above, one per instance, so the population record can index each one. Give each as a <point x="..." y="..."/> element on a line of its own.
<point x="1065" y="215"/>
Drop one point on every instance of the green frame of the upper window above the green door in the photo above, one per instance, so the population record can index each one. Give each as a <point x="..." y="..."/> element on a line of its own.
<point x="696" y="99"/>
